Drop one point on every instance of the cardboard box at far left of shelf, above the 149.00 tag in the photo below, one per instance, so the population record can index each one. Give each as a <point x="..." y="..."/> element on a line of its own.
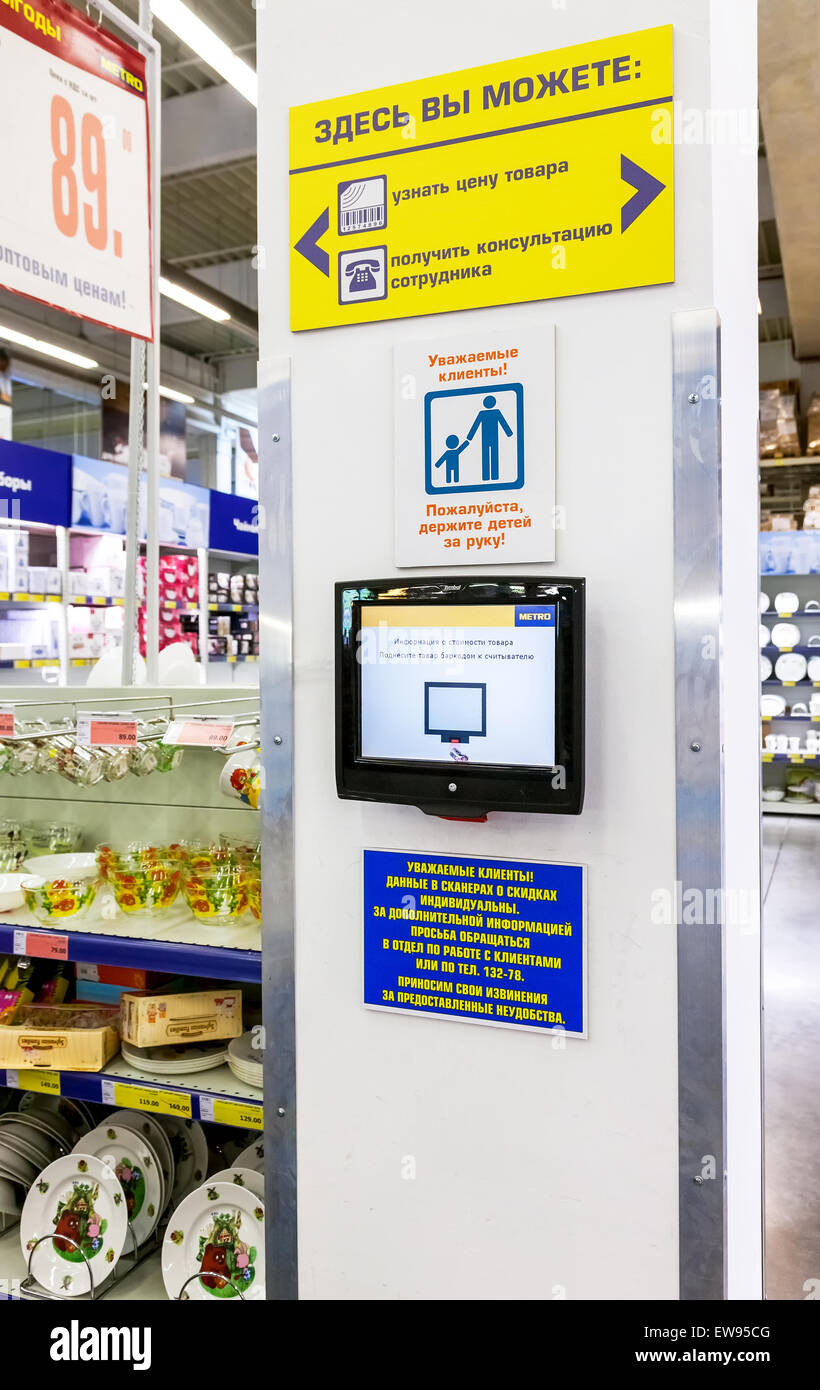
<point x="47" y="1036"/>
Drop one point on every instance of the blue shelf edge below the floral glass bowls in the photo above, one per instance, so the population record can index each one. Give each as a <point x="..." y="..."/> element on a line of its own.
<point x="169" y="957"/>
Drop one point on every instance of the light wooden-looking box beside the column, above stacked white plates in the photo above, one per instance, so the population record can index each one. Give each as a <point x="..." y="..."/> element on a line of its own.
<point x="149" y="1020"/>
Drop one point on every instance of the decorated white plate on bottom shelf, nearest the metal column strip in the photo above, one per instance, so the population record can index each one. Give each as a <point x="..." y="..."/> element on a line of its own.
<point x="213" y="1221"/>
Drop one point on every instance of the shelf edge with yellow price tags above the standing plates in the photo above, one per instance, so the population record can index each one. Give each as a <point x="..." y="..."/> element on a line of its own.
<point x="201" y="1096"/>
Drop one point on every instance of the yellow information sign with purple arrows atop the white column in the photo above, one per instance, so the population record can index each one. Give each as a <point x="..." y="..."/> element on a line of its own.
<point x="532" y="179"/>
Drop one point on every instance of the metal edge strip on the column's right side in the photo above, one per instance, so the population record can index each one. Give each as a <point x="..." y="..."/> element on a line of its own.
<point x="700" y="804"/>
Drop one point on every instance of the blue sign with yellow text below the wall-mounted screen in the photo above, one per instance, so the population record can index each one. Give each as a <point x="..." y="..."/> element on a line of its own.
<point x="495" y="942"/>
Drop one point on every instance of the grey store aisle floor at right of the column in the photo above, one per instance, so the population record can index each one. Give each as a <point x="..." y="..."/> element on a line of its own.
<point x="792" y="971"/>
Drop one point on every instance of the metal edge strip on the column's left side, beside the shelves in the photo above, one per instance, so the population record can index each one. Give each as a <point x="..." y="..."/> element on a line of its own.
<point x="276" y="582"/>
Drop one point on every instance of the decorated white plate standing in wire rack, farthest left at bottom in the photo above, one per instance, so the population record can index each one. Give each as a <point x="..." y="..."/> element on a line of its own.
<point x="84" y="1188"/>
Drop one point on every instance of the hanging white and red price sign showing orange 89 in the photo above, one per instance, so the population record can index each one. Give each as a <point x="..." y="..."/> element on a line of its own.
<point x="76" y="215"/>
